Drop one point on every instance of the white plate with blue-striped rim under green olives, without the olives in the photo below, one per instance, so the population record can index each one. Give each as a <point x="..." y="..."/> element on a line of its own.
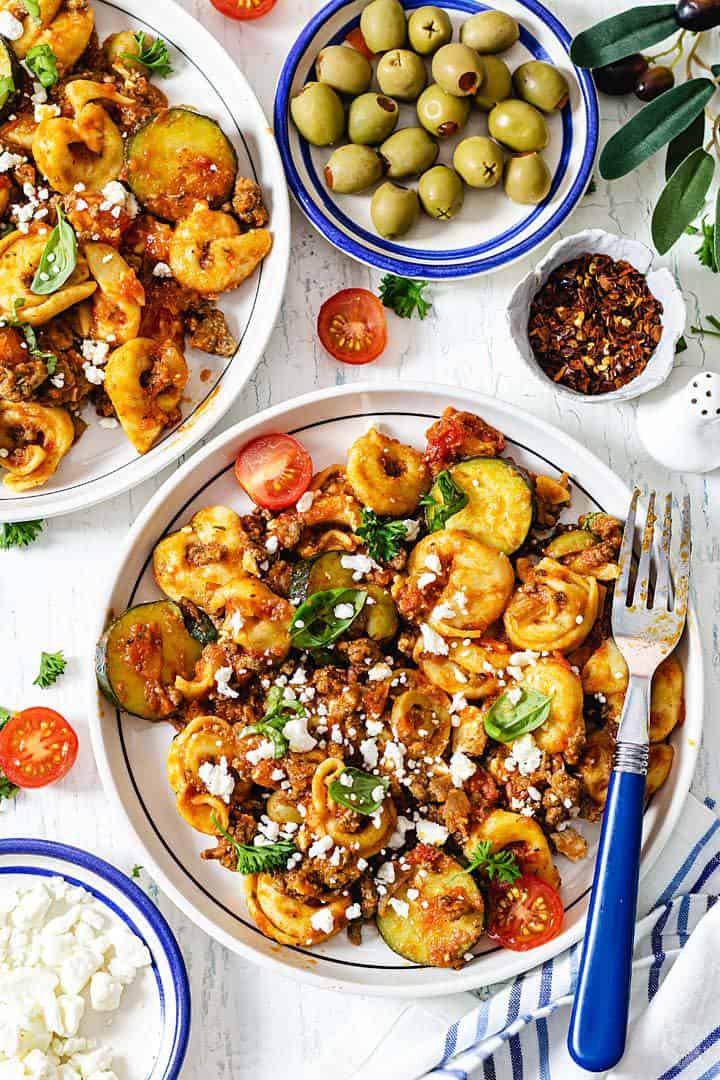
<point x="491" y="232"/>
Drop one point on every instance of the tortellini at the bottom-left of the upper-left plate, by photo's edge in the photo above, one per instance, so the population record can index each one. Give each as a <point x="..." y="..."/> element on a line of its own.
<point x="36" y="438"/>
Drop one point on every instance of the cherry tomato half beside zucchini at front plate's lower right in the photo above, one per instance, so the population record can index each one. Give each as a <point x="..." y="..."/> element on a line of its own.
<point x="525" y="914"/>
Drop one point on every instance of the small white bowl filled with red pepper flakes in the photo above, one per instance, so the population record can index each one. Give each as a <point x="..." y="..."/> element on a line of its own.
<point x="596" y="321"/>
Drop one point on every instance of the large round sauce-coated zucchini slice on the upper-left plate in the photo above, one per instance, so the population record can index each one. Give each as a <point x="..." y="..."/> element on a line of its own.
<point x="178" y="159"/>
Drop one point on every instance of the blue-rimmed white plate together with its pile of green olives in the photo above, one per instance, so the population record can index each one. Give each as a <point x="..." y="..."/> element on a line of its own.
<point x="436" y="141"/>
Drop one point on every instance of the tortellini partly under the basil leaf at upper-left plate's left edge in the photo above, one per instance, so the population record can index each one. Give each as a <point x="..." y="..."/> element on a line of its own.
<point x="20" y="259"/>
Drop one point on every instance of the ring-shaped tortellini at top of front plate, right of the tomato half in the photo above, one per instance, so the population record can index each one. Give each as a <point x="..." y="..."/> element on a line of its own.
<point x="387" y="476"/>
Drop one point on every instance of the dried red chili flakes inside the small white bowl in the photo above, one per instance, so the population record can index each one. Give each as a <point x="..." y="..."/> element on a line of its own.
<point x="595" y="325"/>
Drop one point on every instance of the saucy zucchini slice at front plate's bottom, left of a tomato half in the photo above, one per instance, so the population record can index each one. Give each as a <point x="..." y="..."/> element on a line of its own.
<point x="439" y="934"/>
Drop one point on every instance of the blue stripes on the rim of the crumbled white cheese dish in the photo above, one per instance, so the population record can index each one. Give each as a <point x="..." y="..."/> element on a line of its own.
<point x="66" y="854"/>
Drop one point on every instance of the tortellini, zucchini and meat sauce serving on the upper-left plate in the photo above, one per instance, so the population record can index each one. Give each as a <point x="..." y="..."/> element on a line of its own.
<point x="123" y="220"/>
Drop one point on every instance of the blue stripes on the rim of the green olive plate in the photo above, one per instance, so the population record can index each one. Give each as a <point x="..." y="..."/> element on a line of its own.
<point x="358" y="251"/>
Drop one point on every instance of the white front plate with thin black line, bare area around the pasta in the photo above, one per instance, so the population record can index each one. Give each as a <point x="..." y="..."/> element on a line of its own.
<point x="131" y="753"/>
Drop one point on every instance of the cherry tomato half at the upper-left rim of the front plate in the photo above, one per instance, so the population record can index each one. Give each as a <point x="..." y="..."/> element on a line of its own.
<point x="275" y="470"/>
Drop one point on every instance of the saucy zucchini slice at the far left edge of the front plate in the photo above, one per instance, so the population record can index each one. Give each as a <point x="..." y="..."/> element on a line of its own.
<point x="141" y="654"/>
